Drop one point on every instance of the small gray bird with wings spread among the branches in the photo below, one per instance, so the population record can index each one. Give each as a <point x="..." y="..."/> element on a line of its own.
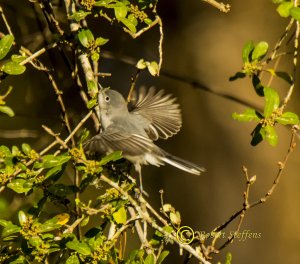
<point x="153" y="115"/>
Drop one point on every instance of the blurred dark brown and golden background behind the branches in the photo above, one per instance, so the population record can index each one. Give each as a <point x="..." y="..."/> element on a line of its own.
<point x="205" y="45"/>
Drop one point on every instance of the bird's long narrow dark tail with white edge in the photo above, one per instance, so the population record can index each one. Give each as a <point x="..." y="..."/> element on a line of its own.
<point x="182" y="164"/>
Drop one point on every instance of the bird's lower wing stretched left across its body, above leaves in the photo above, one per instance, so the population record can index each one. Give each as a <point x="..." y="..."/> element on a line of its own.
<point x="130" y="144"/>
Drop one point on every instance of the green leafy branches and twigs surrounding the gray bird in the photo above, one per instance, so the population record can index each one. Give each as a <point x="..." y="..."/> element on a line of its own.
<point x="94" y="231"/>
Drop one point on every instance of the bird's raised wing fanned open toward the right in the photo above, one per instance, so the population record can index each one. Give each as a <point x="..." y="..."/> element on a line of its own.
<point x="159" y="109"/>
